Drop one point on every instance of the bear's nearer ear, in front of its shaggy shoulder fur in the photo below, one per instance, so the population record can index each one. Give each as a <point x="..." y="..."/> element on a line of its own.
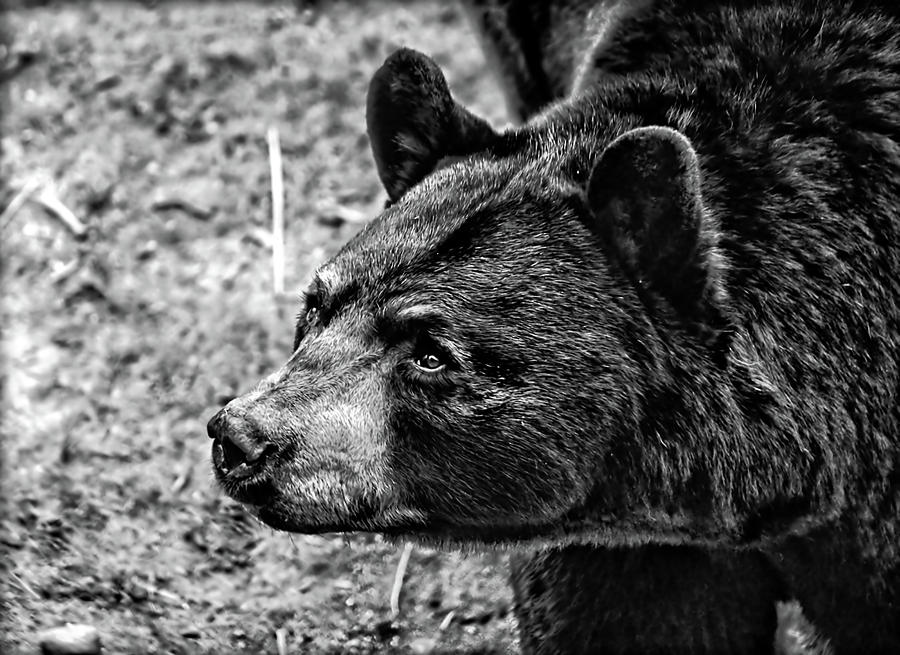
<point x="645" y="197"/>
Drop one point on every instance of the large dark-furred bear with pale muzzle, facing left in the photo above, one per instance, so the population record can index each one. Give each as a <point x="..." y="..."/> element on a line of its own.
<point x="649" y="339"/>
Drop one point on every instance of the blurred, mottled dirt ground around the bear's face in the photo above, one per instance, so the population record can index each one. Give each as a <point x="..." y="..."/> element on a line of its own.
<point x="149" y="123"/>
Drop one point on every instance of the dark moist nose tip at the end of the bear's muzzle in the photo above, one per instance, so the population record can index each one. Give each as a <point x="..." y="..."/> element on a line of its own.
<point x="239" y="447"/>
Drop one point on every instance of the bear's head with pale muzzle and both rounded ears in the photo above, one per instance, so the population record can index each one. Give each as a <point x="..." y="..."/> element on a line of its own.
<point x="471" y="366"/>
